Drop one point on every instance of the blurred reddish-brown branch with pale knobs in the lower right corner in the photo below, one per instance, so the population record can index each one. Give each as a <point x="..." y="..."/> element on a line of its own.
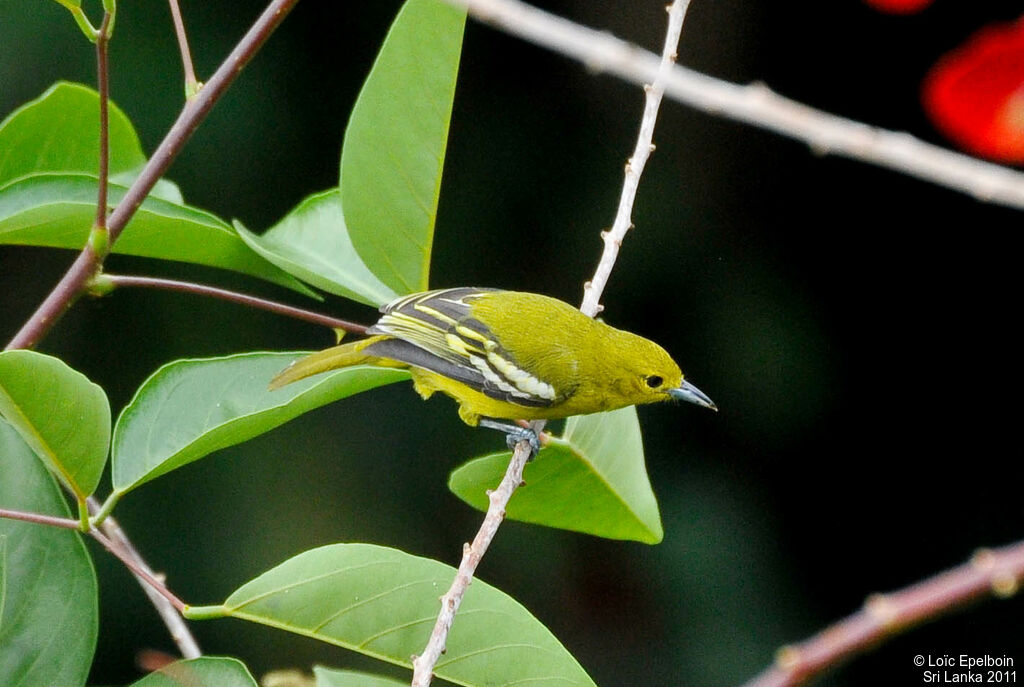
<point x="991" y="572"/>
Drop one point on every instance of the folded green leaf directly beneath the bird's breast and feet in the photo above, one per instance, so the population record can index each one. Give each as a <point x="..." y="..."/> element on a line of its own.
<point x="592" y="481"/>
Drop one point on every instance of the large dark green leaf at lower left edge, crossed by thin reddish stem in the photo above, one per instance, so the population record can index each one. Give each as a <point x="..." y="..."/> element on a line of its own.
<point x="49" y="599"/>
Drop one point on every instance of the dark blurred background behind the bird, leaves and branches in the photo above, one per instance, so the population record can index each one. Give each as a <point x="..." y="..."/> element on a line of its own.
<point x="854" y="325"/>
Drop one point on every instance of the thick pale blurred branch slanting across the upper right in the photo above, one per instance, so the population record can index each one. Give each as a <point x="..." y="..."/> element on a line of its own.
<point x="758" y="106"/>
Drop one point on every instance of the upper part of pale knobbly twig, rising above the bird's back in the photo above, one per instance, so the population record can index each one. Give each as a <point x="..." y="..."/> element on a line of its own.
<point x="634" y="167"/>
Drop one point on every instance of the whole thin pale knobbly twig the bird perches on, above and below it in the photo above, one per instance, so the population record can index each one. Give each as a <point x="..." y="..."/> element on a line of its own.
<point x="423" y="665"/>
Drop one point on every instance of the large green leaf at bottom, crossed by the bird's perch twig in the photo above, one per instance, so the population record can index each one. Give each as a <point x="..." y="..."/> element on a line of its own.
<point x="383" y="604"/>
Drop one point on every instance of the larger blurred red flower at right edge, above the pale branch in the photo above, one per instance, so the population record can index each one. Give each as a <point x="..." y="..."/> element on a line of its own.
<point x="975" y="95"/>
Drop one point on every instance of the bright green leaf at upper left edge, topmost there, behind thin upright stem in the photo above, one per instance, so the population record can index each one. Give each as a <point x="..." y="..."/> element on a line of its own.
<point x="60" y="133"/>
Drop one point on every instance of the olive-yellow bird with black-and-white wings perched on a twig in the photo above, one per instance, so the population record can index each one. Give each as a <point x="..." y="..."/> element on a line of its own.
<point x="509" y="356"/>
